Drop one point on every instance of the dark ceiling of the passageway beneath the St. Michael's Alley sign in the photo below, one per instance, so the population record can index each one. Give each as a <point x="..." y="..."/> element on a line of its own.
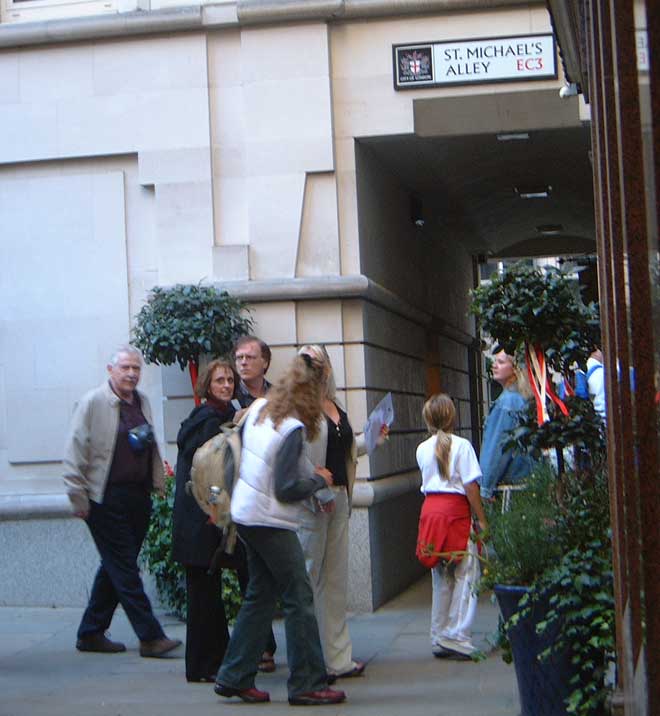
<point x="473" y="184"/>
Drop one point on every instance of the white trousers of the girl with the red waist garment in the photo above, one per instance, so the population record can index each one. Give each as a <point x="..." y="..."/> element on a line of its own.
<point x="454" y="603"/>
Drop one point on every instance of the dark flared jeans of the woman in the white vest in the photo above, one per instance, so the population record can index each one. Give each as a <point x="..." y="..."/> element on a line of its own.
<point x="277" y="568"/>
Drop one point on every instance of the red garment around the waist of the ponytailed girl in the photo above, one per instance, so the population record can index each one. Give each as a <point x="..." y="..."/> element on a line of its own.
<point x="444" y="526"/>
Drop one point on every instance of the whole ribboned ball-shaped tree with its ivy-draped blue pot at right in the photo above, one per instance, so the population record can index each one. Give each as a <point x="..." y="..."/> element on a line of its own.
<point x="552" y="566"/>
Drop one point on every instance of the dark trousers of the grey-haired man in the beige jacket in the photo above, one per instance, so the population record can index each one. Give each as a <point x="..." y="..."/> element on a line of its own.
<point x="118" y="527"/>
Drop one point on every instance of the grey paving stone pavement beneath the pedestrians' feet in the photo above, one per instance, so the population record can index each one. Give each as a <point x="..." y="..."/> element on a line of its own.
<point x="42" y="674"/>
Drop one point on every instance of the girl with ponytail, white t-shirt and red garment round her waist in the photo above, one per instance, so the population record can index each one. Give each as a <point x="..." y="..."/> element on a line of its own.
<point x="450" y="471"/>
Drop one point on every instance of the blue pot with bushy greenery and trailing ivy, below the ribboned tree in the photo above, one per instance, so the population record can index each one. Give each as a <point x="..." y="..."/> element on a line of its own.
<point x="549" y="565"/>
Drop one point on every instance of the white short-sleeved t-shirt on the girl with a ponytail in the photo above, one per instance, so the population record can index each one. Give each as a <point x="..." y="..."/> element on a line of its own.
<point x="463" y="466"/>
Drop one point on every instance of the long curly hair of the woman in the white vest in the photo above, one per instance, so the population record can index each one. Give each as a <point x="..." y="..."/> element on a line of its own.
<point x="298" y="394"/>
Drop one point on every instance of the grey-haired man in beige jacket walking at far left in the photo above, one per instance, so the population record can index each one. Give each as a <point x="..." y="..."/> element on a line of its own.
<point x="111" y="466"/>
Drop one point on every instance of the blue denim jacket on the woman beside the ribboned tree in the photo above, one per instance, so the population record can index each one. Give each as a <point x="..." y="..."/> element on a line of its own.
<point x="498" y="465"/>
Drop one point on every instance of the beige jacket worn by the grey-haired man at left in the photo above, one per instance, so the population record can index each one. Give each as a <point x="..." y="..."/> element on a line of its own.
<point x="90" y="447"/>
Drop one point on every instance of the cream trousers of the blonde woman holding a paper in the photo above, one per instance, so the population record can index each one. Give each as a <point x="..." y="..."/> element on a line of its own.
<point x="324" y="539"/>
